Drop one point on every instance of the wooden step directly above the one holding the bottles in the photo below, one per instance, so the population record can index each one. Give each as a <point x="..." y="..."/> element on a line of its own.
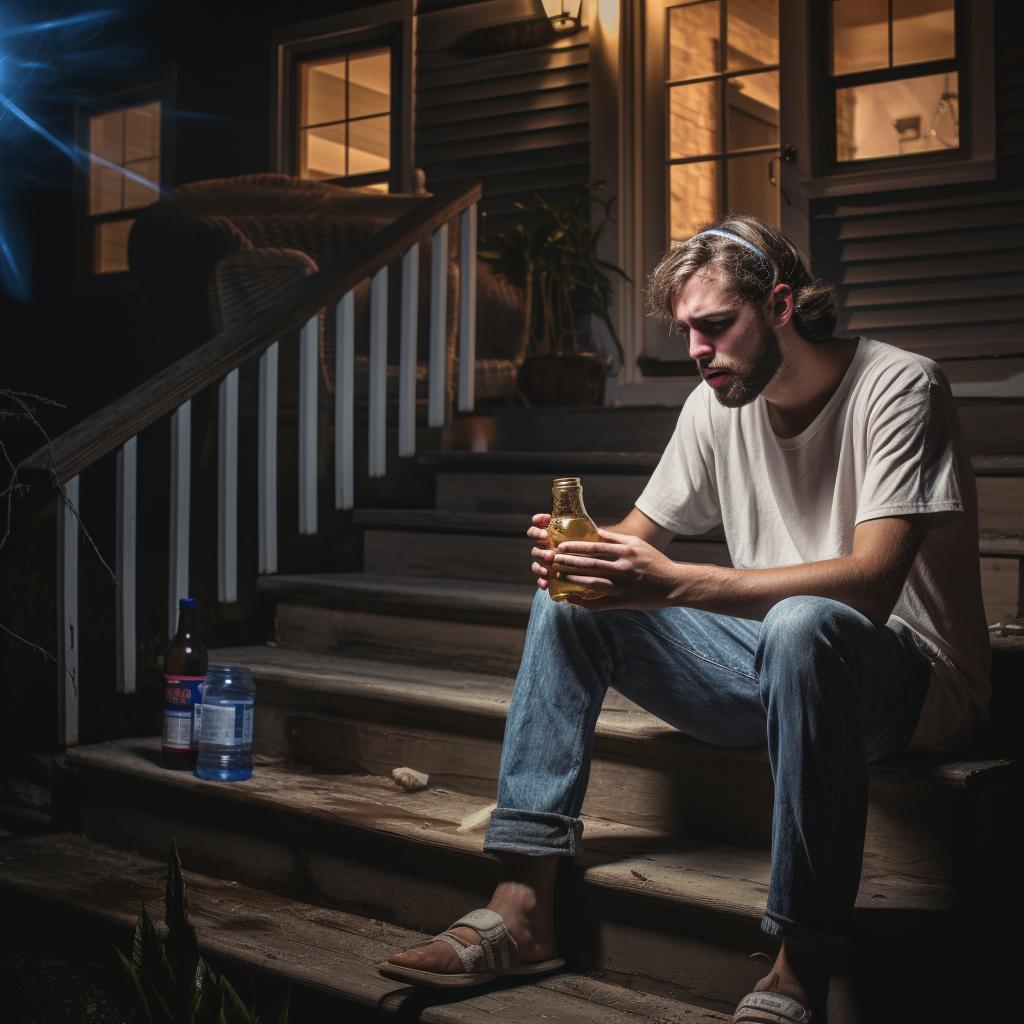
<point x="355" y="716"/>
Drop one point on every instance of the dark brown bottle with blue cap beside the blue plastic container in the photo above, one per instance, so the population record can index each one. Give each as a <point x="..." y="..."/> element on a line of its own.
<point x="185" y="672"/>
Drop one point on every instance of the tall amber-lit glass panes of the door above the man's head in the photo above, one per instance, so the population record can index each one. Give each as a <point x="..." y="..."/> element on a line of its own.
<point x="723" y="111"/>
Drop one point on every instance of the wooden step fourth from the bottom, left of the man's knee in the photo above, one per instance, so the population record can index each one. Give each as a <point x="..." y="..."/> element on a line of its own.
<point x="439" y="623"/>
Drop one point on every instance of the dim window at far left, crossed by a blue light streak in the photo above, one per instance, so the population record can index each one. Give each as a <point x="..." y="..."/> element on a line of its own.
<point x="124" y="177"/>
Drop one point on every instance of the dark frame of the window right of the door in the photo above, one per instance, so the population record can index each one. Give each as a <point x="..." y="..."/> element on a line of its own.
<point x="961" y="63"/>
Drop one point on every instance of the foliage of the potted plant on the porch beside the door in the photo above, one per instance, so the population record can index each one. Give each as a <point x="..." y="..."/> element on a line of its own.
<point x="552" y="254"/>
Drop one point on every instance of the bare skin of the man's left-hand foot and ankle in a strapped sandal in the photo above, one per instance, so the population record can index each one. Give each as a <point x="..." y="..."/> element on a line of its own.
<point x="524" y="899"/>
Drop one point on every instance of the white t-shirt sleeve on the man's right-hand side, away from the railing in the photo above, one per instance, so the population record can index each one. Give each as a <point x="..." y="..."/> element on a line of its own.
<point x="911" y="464"/>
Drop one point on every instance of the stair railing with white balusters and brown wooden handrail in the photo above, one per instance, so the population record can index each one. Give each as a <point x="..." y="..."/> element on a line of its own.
<point x="111" y="429"/>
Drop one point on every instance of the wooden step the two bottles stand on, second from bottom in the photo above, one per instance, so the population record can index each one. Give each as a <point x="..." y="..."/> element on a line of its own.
<point x="678" y="915"/>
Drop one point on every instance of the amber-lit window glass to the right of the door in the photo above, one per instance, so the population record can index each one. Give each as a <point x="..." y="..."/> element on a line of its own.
<point x="894" y="79"/>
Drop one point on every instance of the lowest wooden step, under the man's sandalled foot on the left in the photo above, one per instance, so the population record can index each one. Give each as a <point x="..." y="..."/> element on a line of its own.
<point x="312" y="947"/>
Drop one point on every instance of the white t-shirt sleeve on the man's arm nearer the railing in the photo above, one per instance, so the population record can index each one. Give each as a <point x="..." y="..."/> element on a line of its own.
<point x="682" y="494"/>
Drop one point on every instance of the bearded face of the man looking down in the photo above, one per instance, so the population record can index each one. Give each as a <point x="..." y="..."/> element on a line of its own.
<point x="736" y="348"/>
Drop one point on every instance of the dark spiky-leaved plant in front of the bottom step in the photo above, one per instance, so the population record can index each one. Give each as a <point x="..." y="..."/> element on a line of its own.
<point x="168" y="983"/>
